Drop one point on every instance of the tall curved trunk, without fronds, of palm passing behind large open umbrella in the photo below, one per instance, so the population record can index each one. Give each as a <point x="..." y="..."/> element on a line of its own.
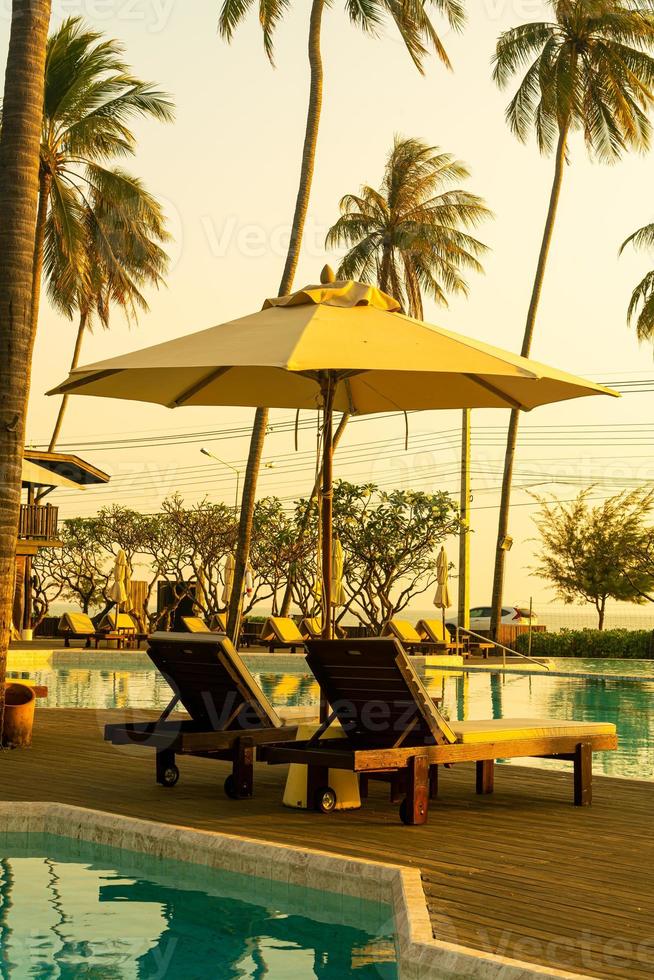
<point x="297" y="231"/>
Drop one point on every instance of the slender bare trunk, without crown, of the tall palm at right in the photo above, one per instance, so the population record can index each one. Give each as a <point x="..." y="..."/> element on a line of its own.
<point x="512" y="435"/>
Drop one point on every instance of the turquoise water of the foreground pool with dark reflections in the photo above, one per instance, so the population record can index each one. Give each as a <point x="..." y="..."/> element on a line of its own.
<point x="70" y="909"/>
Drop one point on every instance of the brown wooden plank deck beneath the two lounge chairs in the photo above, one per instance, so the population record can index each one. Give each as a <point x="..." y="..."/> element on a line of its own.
<point x="522" y="873"/>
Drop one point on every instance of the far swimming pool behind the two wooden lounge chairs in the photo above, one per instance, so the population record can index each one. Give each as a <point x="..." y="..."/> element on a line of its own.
<point x="619" y="691"/>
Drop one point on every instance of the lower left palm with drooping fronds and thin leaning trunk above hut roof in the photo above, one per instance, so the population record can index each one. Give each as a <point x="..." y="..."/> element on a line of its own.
<point x="120" y="254"/>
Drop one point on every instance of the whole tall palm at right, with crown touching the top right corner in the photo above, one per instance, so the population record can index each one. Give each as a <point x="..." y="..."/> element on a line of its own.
<point x="588" y="70"/>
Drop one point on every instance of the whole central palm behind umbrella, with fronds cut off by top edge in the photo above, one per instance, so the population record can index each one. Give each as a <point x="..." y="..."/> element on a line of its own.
<point x="417" y="32"/>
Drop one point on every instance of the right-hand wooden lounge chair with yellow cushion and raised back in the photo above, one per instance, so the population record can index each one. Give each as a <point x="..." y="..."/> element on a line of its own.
<point x="392" y="727"/>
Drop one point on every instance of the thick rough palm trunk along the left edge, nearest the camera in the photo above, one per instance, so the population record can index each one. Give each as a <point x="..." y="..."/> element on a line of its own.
<point x="20" y="140"/>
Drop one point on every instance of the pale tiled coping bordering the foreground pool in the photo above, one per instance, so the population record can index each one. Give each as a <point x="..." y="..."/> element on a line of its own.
<point x="421" y="957"/>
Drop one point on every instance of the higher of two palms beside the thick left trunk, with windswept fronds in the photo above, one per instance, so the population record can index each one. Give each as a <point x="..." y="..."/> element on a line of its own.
<point x="91" y="97"/>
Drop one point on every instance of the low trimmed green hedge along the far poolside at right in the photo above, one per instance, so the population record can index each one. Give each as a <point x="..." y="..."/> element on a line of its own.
<point x="609" y="644"/>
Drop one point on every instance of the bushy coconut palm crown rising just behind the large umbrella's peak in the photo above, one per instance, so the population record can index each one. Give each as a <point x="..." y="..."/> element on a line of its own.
<point x="411" y="236"/>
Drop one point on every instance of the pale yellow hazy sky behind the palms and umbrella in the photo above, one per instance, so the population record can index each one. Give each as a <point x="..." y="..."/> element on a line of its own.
<point x="227" y="173"/>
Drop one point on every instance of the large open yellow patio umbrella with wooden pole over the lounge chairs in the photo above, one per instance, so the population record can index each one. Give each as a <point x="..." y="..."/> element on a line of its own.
<point x="336" y="346"/>
